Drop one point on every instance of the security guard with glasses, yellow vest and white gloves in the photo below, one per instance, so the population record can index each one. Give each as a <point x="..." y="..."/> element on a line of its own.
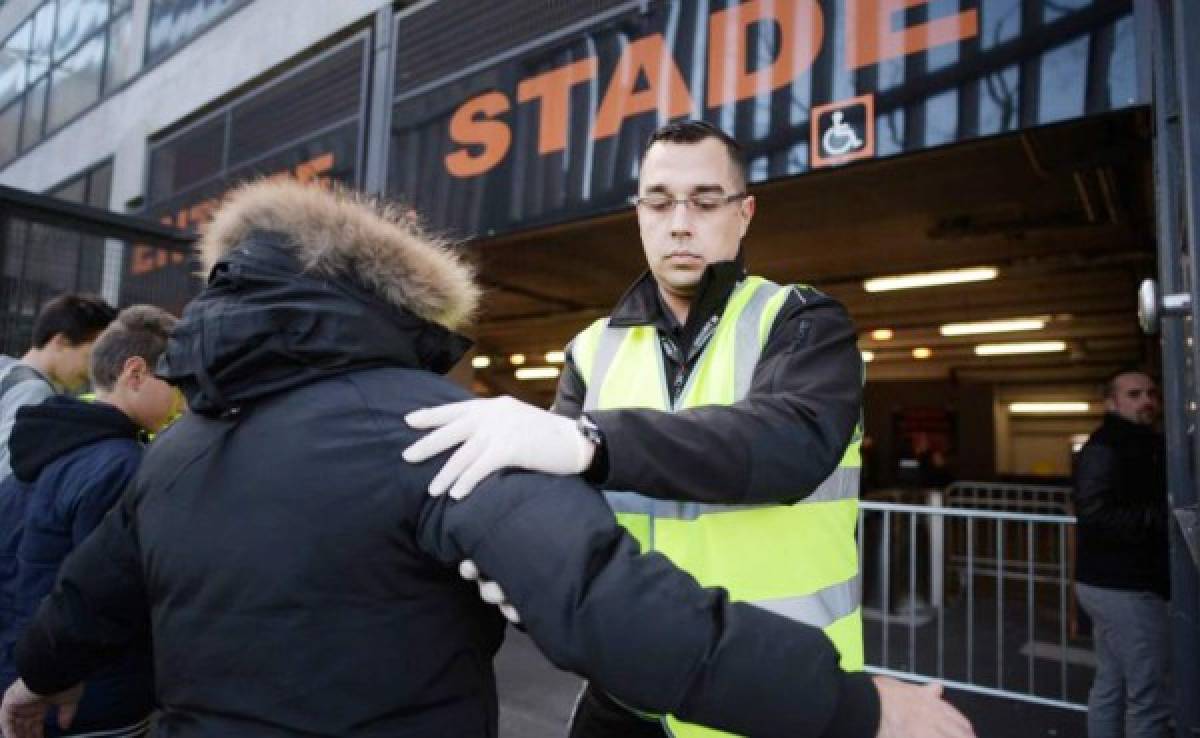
<point x="730" y="404"/>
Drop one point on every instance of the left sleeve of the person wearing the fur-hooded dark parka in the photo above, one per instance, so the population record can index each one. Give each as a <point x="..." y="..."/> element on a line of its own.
<point x="95" y="614"/>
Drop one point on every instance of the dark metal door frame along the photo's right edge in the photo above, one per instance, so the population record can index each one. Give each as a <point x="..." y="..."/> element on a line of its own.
<point x="1175" y="71"/>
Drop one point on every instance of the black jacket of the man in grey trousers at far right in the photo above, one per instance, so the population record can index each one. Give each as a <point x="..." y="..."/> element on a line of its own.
<point x="1121" y="505"/>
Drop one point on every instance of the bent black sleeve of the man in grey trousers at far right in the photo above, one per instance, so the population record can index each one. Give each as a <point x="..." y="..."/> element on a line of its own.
<point x="1121" y="519"/>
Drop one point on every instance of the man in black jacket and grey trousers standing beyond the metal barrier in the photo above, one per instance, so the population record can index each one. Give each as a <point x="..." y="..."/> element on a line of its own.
<point x="1123" y="568"/>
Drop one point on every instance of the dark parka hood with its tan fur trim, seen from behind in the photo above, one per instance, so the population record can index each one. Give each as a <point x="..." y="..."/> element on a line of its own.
<point x="308" y="283"/>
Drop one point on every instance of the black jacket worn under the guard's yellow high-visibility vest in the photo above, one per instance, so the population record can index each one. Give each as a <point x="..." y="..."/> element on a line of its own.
<point x="778" y="445"/>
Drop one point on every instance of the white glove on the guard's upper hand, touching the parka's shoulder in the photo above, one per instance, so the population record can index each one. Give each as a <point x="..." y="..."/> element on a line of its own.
<point x="496" y="434"/>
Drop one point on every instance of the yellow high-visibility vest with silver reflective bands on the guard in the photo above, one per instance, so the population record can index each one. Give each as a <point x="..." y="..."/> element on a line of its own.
<point x="800" y="561"/>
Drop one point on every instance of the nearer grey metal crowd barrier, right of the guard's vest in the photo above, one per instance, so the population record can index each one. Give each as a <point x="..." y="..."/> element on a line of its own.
<point x="979" y="599"/>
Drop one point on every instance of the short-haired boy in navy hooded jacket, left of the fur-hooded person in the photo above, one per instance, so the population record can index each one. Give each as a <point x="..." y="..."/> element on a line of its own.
<point x="71" y="463"/>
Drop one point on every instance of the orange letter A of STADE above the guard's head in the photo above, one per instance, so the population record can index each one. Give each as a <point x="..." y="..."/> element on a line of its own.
<point x="665" y="88"/>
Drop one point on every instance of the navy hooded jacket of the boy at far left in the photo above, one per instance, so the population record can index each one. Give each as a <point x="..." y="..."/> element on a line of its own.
<point x="71" y="463"/>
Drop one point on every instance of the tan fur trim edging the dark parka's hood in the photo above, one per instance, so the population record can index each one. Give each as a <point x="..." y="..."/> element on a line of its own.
<point x="339" y="232"/>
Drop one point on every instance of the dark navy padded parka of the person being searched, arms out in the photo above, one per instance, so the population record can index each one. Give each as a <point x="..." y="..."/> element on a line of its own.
<point x="297" y="579"/>
